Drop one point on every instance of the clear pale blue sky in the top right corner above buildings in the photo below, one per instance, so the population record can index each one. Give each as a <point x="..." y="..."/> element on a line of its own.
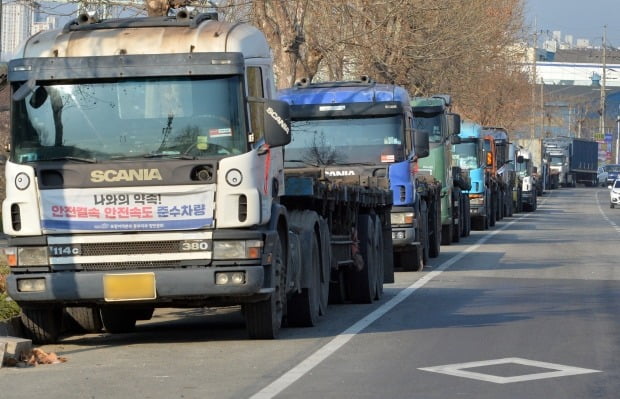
<point x="584" y="19"/>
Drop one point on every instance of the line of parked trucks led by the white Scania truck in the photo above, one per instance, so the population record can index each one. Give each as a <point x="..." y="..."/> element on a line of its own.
<point x="176" y="176"/>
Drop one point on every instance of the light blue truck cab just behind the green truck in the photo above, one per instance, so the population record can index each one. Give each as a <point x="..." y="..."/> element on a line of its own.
<point x="470" y="155"/>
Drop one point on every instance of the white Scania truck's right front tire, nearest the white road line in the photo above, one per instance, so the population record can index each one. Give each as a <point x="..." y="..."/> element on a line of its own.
<point x="263" y="319"/>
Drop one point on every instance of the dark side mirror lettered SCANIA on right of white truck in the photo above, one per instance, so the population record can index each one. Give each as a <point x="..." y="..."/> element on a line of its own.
<point x="276" y="122"/>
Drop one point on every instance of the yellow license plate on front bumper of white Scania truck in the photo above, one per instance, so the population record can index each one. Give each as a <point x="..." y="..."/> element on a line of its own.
<point x="129" y="287"/>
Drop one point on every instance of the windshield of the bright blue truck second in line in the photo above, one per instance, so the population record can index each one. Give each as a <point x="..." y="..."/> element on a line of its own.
<point x="347" y="141"/>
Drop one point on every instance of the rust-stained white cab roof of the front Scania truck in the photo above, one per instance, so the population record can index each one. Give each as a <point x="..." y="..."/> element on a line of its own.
<point x="154" y="35"/>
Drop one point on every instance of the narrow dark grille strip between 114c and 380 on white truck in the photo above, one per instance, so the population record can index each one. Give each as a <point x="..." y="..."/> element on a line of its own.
<point x="130" y="248"/>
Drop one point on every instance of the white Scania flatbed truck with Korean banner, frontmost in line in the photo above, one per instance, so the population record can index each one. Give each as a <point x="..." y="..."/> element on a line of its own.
<point x="146" y="170"/>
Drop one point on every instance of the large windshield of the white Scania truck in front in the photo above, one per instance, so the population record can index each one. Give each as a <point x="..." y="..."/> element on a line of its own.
<point x="108" y="120"/>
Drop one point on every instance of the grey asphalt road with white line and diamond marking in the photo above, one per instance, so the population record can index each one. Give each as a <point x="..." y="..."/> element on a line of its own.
<point x="526" y="310"/>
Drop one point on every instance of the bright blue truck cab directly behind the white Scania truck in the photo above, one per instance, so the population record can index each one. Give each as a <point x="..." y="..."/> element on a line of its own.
<point x="358" y="128"/>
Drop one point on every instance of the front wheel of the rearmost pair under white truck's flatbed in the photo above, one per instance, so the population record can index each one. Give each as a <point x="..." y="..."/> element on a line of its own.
<point x="363" y="282"/>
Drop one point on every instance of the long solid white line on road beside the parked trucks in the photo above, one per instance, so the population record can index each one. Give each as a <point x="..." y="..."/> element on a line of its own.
<point x="306" y="365"/>
